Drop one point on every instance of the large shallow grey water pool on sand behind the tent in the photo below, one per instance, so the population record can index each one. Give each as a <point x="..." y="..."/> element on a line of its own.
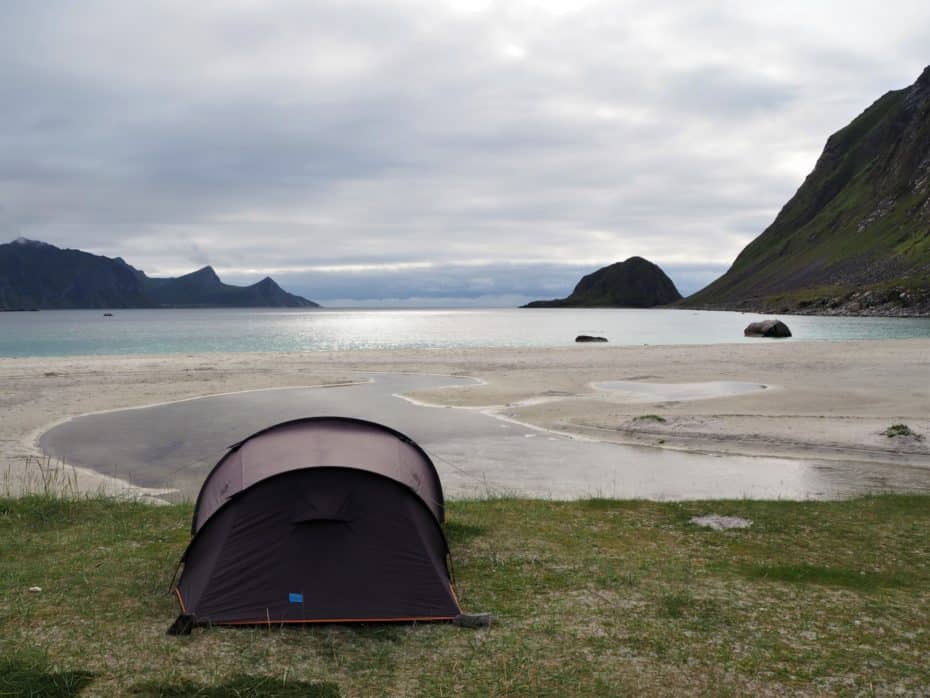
<point x="174" y="445"/>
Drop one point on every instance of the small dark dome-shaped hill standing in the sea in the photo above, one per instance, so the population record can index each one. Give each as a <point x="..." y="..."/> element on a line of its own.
<point x="635" y="283"/>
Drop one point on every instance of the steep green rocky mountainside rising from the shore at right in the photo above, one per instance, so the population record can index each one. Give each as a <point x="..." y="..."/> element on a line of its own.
<point x="855" y="238"/>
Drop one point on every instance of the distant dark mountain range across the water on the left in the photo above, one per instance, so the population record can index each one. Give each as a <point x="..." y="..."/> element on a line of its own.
<point x="38" y="275"/>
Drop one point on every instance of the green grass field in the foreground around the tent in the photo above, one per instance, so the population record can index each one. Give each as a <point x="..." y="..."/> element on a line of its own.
<point x="595" y="597"/>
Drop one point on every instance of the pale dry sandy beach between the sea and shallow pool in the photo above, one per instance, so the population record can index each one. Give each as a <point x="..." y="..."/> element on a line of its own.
<point x="821" y="400"/>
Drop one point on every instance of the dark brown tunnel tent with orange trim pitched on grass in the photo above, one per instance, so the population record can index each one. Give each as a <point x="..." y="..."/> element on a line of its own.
<point x="322" y="519"/>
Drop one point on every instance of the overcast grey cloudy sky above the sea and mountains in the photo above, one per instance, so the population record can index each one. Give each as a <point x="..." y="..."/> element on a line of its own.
<point x="436" y="153"/>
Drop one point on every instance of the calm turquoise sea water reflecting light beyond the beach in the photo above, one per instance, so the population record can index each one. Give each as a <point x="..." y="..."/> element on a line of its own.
<point x="83" y="332"/>
